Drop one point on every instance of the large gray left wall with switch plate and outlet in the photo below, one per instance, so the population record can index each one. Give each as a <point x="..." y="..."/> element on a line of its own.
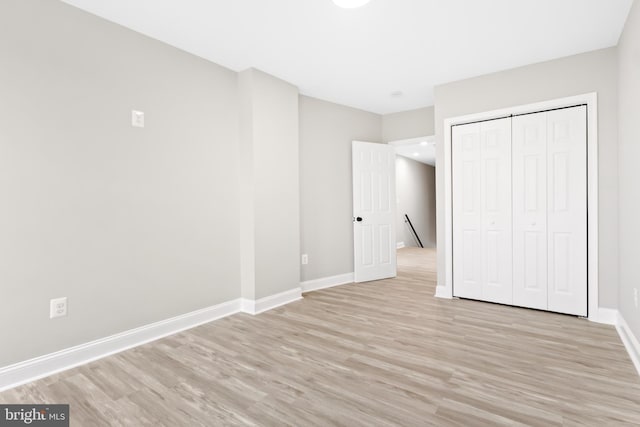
<point x="132" y="225"/>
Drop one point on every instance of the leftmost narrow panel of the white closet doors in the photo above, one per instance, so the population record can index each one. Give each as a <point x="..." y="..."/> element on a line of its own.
<point x="467" y="212"/>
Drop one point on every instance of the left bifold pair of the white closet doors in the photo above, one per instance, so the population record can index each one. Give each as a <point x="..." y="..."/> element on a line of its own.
<point x="482" y="240"/>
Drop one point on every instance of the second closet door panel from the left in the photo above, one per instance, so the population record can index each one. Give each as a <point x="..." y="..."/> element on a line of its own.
<point x="495" y="196"/>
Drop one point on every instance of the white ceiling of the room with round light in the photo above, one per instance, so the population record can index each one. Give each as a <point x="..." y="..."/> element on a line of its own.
<point x="358" y="57"/>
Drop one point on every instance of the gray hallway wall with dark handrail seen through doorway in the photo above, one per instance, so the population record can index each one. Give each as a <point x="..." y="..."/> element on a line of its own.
<point x="416" y="197"/>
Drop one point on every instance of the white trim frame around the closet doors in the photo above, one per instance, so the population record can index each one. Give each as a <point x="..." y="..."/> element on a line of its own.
<point x="445" y="279"/>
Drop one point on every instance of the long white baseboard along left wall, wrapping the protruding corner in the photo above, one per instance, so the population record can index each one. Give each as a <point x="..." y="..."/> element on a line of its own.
<point x="44" y="366"/>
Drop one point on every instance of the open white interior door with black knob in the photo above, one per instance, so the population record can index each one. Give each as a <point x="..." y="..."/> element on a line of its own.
<point x="374" y="211"/>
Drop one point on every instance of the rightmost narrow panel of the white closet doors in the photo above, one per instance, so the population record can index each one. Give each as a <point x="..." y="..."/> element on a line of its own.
<point x="567" y="210"/>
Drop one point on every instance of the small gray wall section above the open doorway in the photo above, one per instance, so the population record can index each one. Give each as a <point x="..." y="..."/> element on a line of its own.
<point x="408" y="124"/>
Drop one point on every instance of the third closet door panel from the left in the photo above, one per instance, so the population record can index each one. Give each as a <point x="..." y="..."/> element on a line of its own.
<point x="529" y="154"/>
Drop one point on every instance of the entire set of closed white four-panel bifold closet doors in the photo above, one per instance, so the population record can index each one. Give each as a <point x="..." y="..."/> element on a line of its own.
<point x="520" y="210"/>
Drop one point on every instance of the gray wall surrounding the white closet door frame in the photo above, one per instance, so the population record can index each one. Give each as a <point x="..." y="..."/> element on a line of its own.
<point x="589" y="72"/>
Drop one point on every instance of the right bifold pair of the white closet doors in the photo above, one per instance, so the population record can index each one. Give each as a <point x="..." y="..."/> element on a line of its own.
<point x="550" y="210"/>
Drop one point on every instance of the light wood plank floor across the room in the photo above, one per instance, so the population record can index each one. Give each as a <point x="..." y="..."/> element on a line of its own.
<point x="370" y="354"/>
